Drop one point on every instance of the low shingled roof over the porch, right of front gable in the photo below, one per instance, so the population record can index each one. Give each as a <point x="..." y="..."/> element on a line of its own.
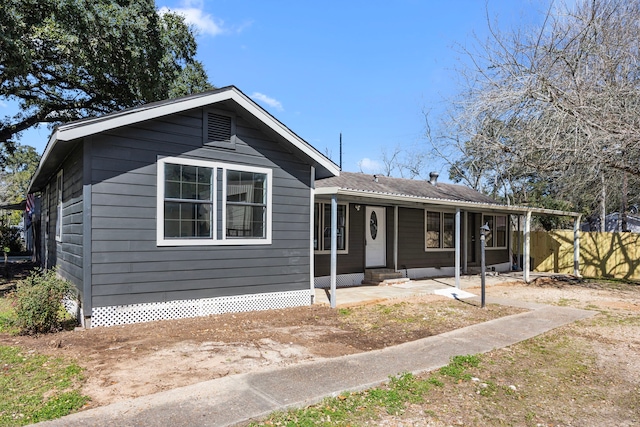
<point x="410" y="191"/>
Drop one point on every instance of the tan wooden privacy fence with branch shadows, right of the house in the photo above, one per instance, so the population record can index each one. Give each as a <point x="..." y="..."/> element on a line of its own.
<point x="615" y="255"/>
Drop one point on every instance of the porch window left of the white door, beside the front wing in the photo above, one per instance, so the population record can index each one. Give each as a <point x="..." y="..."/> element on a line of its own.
<point x="322" y="227"/>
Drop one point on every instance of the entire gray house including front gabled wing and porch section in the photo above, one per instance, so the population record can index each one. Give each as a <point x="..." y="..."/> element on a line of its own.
<point x="207" y="204"/>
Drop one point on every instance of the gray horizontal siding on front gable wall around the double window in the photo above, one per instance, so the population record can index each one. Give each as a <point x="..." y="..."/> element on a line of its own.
<point x="127" y="265"/>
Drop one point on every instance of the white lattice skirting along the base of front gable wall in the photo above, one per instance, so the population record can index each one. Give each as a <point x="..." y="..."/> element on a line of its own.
<point x="137" y="313"/>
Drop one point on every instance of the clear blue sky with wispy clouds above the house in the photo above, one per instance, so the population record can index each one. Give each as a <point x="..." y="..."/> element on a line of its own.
<point x="366" y="69"/>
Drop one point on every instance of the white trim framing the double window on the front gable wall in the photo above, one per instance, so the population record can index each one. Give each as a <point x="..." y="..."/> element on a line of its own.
<point x="215" y="240"/>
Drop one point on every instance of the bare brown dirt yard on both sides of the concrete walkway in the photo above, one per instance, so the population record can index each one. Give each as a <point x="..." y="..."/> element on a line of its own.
<point x="128" y="361"/>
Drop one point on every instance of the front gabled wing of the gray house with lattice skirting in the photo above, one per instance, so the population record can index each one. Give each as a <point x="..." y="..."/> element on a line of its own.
<point x="186" y="207"/>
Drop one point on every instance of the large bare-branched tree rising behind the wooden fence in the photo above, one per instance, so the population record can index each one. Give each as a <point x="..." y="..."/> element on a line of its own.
<point x="559" y="104"/>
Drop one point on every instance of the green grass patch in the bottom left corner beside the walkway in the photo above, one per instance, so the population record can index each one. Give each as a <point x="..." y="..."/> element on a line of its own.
<point x="36" y="388"/>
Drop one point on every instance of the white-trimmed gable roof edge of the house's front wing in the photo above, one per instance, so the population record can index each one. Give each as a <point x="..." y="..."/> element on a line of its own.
<point x="86" y="127"/>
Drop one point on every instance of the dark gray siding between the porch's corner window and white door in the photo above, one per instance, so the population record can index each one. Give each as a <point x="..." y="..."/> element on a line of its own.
<point x="353" y="261"/>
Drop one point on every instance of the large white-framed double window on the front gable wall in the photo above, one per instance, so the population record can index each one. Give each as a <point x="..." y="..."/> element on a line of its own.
<point x="202" y="202"/>
